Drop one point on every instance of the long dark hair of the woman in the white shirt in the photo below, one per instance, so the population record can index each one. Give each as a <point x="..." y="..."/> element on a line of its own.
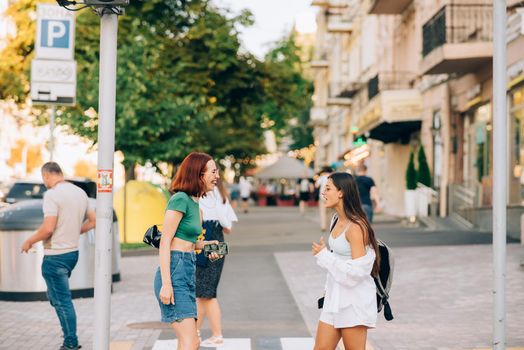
<point x="353" y="210"/>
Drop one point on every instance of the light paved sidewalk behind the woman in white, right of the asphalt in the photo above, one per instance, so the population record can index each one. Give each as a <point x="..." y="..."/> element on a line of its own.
<point x="441" y="297"/>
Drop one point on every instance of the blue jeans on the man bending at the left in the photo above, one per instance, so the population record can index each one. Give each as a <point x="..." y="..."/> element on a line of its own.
<point x="56" y="270"/>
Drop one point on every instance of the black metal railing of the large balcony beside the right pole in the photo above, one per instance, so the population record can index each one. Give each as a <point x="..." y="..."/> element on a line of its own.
<point x="458" y="23"/>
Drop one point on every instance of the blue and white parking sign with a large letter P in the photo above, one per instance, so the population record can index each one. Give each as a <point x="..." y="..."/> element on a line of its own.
<point x="55" y="33"/>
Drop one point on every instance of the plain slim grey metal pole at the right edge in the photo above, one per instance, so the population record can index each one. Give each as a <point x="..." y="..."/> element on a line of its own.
<point x="500" y="172"/>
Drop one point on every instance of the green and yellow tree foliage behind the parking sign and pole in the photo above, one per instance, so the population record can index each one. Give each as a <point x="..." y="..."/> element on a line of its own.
<point x="183" y="83"/>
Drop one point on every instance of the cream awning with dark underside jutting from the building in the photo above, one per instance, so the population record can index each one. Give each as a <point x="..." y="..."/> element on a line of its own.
<point x="392" y="116"/>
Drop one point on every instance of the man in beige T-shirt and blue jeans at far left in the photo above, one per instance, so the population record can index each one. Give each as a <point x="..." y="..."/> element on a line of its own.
<point x="66" y="216"/>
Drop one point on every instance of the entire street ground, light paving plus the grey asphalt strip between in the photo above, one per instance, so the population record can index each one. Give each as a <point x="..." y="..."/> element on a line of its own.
<point x="441" y="296"/>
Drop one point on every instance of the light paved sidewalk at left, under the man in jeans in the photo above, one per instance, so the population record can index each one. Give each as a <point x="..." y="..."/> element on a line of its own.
<point x="34" y="325"/>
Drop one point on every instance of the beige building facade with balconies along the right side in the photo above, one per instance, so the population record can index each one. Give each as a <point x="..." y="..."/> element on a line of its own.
<point x="420" y="74"/>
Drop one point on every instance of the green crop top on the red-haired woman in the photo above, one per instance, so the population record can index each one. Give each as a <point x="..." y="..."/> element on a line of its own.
<point x="189" y="227"/>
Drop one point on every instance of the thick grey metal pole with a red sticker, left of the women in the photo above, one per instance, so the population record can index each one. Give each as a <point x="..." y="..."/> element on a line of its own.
<point x="104" y="201"/>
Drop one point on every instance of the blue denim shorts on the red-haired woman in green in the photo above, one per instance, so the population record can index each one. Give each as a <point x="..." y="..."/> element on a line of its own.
<point x="182" y="268"/>
